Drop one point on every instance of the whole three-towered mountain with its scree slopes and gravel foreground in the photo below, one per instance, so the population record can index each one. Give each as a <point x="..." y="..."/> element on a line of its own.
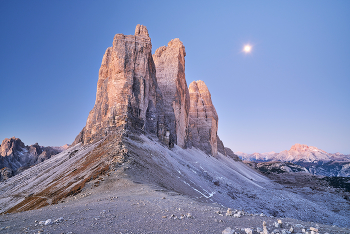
<point x="150" y="150"/>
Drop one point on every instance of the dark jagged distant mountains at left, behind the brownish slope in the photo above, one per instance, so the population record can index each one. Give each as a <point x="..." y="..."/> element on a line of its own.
<point x="16" y="157"/>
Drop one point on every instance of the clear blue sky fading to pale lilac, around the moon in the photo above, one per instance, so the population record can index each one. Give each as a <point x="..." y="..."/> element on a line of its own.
<point x="293" y="87"/>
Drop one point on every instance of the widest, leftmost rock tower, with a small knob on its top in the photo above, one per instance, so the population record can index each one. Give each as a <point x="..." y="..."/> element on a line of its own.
<point x="127" y="91"/>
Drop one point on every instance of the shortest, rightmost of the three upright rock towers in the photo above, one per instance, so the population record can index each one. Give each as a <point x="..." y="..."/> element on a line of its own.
<point x="203" y="119"/>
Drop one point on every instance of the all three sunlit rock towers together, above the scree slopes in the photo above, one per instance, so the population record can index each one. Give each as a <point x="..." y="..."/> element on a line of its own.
<point x="136" y="90"/>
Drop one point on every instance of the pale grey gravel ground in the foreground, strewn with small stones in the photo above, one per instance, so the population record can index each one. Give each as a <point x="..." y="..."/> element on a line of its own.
<point x="119" y="205"/>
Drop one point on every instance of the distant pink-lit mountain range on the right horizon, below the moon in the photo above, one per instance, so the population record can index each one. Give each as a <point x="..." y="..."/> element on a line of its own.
<point x="314" y="160"/>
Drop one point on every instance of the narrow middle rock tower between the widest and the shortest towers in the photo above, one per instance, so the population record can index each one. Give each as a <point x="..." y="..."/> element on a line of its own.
<point x="170" y="65"/>
